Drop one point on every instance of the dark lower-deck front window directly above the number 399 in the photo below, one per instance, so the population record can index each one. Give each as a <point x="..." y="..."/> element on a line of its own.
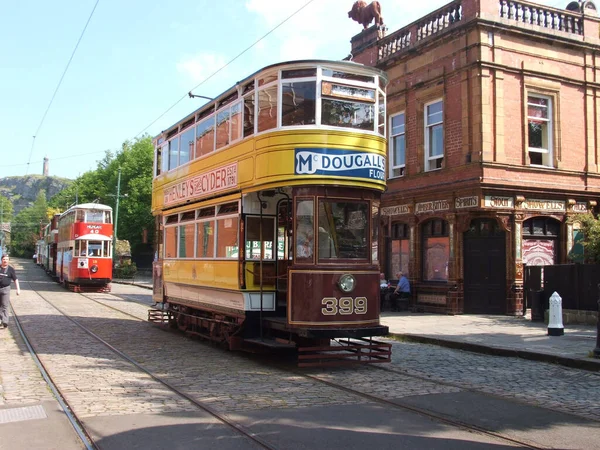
<point x="343" y="230"/>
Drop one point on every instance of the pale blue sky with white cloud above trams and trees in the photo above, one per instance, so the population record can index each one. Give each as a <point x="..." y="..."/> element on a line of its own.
<point x="137" y="60"/>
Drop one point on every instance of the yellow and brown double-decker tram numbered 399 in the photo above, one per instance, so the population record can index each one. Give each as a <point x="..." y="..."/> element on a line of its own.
<point x="267" y="206"/>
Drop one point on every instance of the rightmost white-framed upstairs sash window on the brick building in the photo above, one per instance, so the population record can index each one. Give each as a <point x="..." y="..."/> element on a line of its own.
<point x="539" y="128"/>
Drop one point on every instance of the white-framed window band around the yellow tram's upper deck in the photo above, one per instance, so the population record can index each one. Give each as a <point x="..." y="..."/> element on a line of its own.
<point x="249" y="100"/>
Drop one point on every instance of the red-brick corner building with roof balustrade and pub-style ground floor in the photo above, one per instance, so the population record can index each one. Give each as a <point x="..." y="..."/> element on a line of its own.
<point x="493" y="129"/>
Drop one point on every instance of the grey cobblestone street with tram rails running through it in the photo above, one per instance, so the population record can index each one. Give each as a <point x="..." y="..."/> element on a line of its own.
<point x="100" y="385"/>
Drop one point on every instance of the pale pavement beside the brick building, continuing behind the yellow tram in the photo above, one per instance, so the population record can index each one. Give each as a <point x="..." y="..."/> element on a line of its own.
<point x="489" y="334"/>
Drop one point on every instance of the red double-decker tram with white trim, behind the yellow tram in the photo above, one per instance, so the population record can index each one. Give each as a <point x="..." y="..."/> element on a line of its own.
<point x="84" y="249"/>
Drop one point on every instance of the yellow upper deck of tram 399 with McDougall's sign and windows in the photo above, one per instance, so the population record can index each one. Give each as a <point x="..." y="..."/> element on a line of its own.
<point x="295" y="123"/>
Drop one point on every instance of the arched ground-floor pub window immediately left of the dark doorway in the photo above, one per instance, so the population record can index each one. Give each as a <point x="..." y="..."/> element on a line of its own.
<point x="436" y="250"/>
